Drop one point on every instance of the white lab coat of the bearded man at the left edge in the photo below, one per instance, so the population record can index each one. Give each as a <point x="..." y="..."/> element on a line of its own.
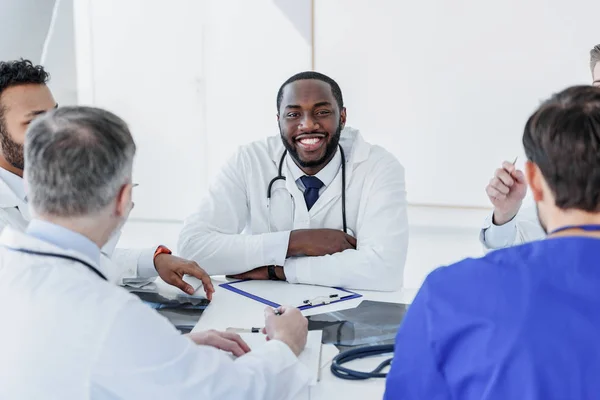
<point x="14" y="212"/>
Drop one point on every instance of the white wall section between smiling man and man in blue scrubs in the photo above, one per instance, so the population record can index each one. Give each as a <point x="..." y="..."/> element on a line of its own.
<point x="448" y="85"/>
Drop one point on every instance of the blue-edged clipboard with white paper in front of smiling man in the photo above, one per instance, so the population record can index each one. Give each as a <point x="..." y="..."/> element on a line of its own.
<point x="278" y="293"/>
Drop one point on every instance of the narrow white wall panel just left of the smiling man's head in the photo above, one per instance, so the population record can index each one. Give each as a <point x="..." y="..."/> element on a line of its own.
<point x="252" y="47"/>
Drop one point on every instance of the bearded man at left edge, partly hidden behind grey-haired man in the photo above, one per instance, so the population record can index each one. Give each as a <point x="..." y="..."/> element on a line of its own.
<point x="24" y="96"/>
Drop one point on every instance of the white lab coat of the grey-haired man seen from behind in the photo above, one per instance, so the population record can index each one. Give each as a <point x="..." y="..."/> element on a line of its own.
<point x="67" y="334"/>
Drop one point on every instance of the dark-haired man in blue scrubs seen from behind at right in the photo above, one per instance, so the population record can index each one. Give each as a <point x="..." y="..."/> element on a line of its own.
<point x="522" y="322"/>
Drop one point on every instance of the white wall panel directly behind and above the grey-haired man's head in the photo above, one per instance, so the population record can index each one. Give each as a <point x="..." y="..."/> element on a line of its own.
<point x="144" y="61"/>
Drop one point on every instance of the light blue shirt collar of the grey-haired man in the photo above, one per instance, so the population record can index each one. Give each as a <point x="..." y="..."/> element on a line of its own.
<point x="64" y="238"/>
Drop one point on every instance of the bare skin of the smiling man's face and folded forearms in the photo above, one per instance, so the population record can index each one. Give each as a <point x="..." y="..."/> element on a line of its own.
<point x="309" y="113"/>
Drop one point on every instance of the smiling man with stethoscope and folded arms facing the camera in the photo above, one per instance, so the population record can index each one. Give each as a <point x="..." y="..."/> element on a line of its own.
<point x="315" y="204"/>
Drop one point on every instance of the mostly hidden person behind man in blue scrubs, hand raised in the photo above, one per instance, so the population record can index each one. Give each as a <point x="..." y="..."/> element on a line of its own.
<point x="511" y="224"/>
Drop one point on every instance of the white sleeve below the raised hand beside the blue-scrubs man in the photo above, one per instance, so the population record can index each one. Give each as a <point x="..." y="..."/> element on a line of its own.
<point x="524" y="227"/>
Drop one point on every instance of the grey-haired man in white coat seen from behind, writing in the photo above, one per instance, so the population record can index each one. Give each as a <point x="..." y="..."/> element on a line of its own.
<point x="68" y="333"/>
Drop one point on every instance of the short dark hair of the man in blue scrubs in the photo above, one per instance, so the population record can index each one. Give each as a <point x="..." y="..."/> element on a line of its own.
<point x="563" y="139"/>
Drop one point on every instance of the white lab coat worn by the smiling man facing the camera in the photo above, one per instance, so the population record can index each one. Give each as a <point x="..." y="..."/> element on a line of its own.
<point x="231" y="231"/>
